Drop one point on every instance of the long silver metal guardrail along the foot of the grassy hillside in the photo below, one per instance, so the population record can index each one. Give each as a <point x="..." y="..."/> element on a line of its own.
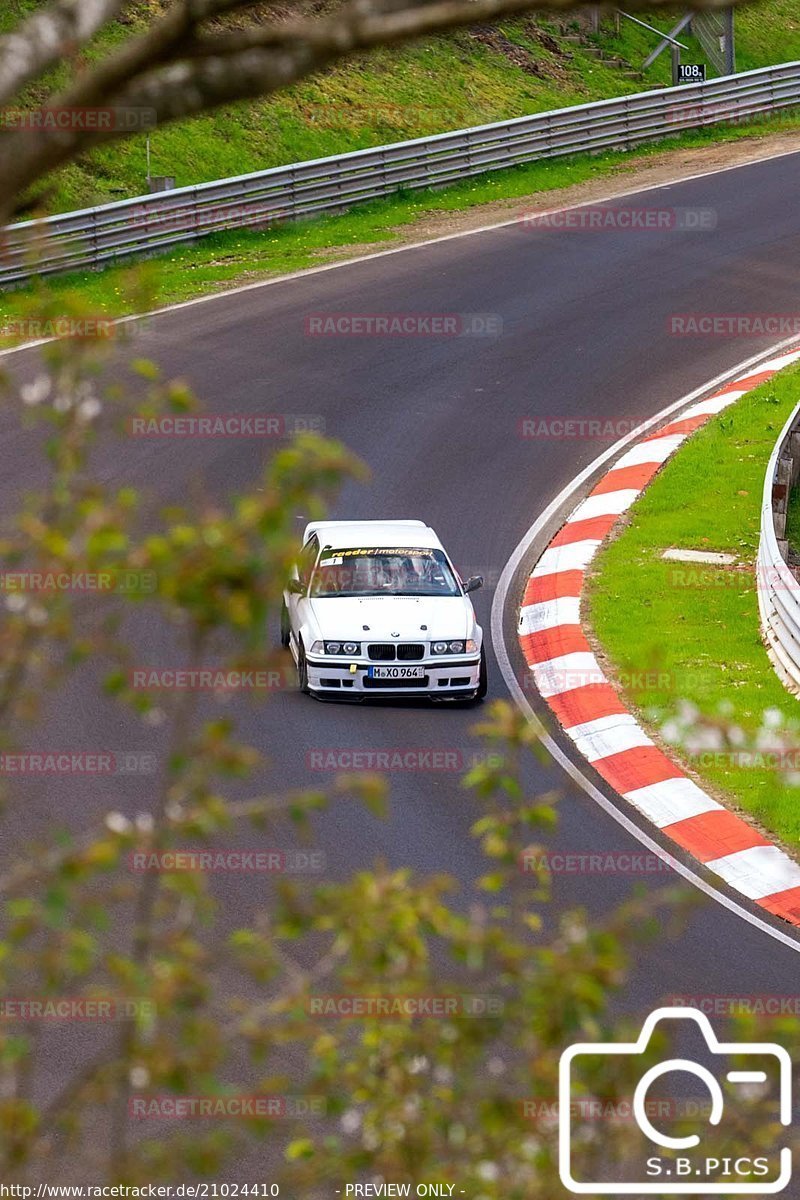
<point x="149" y="224"/>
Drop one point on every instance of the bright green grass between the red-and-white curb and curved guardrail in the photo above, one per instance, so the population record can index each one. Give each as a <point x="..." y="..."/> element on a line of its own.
<point x="691" y="634"/>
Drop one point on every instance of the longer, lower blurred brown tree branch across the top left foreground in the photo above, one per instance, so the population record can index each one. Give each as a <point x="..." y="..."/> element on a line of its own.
<point x="176" y="73"/>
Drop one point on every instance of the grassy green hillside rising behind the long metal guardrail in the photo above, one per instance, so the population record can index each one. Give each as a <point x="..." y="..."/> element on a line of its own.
<point x="442" y="83"/>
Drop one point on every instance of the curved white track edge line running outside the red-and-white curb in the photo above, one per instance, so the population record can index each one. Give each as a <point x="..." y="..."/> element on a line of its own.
<point x="498" y="640"/>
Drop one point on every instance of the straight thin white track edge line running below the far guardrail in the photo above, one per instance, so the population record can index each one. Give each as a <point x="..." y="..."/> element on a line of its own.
<point x="419" y="245"/>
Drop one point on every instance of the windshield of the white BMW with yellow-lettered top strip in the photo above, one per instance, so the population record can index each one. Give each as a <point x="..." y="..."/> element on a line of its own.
<point x="406" y="572"/>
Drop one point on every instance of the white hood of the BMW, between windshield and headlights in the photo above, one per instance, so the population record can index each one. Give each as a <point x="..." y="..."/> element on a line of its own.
<point x="393" y="619"/>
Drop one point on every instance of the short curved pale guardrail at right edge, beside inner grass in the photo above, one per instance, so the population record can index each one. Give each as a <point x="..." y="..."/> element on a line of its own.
<point x="779" y="591"/>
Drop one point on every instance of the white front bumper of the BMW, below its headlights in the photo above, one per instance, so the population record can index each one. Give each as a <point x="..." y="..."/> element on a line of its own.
<point x="448" y="676"/>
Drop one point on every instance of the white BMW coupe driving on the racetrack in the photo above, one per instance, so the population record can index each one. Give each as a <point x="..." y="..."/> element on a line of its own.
<point x="377" y="609"/>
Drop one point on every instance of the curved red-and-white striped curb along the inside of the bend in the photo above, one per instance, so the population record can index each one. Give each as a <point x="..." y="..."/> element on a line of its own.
<point x="591" y="710"/>
